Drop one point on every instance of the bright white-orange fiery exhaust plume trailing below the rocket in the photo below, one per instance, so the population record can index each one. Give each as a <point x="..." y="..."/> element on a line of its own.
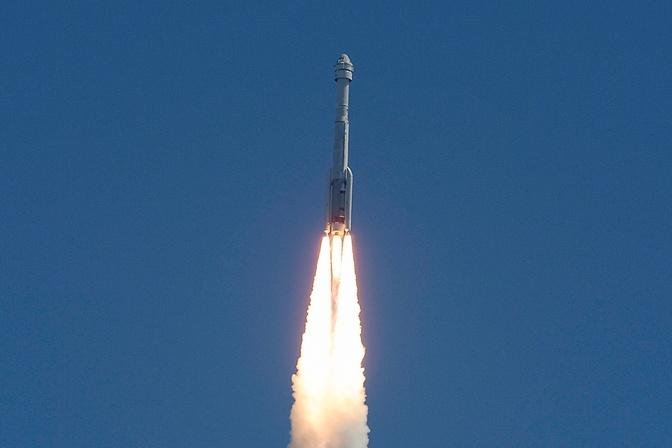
<point x="329" y="398"/>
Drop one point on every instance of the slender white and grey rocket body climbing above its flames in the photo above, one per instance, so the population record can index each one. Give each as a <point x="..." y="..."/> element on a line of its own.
<point x="339" y="192"/>
